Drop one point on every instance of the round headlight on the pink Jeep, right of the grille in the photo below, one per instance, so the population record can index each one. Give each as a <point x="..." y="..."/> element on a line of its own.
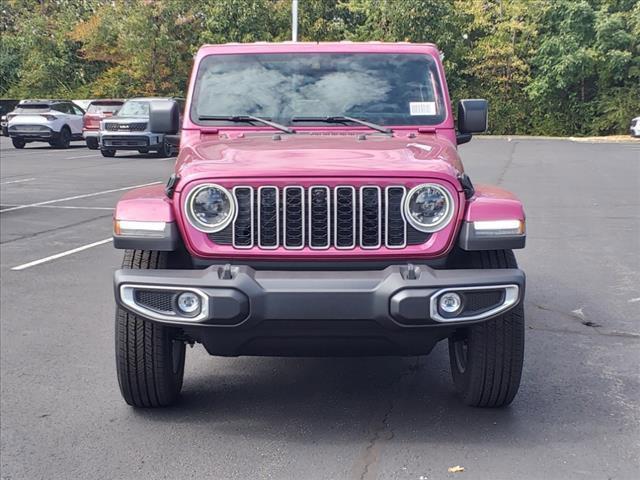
<point x="429" y="207"/>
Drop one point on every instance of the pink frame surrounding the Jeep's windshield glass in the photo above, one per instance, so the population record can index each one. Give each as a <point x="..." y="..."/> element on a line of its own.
<point x="446" y="122"/>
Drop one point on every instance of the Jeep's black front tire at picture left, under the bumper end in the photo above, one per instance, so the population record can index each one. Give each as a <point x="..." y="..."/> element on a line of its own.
<point x="149" y="356"/>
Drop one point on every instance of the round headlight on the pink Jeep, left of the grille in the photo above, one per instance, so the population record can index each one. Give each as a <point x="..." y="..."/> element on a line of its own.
<point x="210" y="208"/>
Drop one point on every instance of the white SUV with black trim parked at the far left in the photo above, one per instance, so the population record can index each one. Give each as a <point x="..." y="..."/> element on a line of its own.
<point x="57" y="122"/>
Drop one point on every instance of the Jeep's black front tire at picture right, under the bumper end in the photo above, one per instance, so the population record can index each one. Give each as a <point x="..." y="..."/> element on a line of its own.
<point x="486" y="359"/>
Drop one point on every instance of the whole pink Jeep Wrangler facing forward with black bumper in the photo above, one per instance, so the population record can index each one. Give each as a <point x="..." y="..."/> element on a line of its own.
<point x="319" y="207"/>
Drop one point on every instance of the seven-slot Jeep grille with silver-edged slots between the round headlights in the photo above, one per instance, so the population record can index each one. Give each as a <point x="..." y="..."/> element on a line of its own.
<point x="319" y="217"/>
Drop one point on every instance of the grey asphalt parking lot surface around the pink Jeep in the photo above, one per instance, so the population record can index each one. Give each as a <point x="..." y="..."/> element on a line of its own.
<point x="577" y="414"/>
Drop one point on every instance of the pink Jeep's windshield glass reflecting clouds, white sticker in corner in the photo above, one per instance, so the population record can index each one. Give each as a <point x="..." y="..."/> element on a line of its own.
<point x="388" y="89"/>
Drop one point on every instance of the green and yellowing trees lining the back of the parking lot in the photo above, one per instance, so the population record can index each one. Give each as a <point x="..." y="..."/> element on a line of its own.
<point x="547" y="66"/>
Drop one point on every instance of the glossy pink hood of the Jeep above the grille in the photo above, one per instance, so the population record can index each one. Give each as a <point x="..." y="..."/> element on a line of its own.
<point x="316" y="155"/>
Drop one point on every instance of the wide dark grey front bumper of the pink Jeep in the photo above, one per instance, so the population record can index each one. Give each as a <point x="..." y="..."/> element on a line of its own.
<point x="257" y="312"/>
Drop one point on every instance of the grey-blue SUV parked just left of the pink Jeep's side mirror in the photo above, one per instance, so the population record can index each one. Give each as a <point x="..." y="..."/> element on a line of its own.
<point x="130" y="130"/>
